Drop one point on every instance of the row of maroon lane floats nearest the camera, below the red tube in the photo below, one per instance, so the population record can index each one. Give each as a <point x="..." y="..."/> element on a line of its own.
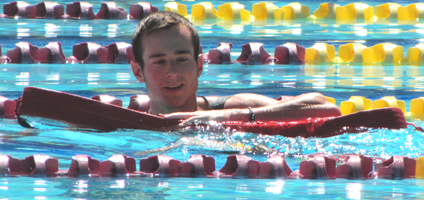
<point x="202" y="166"/>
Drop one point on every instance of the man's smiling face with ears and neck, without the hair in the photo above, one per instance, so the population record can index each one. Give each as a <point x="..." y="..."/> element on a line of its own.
<point x="170" y="71"/>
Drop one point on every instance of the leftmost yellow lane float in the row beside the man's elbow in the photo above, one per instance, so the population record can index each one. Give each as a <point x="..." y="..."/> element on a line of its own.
<point x="355" y="104"/>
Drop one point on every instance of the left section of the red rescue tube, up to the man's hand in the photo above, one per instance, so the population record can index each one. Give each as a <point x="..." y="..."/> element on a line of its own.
<point x="85" y="112"/>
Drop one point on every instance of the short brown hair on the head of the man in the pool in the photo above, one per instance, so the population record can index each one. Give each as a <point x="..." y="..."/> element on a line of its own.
<point x="161" y="20"/>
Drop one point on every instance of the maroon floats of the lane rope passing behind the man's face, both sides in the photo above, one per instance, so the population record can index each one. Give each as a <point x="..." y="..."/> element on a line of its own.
<point x="121" y="53"/>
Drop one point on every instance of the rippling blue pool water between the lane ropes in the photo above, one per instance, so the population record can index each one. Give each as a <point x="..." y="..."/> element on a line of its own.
<point x="334" y="80"/>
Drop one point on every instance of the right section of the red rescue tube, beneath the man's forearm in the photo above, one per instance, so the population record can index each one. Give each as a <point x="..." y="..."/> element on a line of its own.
<point x="392" y="118"/>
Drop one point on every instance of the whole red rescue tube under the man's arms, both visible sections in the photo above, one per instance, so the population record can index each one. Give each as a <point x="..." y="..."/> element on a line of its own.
<point x="84" y="112"/>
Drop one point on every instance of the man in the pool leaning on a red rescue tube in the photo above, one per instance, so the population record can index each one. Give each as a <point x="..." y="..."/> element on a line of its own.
<point x="166" y="50"/>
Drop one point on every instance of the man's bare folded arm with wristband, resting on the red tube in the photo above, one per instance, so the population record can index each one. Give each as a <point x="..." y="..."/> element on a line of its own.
<point x="299" y="107"/>
